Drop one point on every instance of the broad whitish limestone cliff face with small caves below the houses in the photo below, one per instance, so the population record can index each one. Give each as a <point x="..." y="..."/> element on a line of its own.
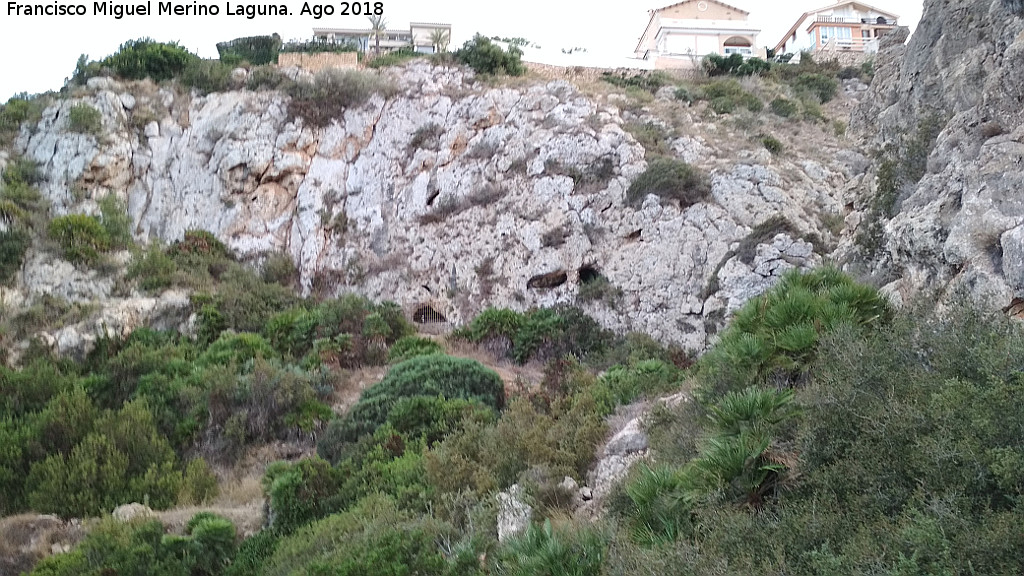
<point x="450" y="194"/>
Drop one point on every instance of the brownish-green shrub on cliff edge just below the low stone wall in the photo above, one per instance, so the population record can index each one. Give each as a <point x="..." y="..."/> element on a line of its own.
<point x="332" y="92"/>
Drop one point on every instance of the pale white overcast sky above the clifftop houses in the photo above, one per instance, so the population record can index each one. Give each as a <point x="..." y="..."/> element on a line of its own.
<point x="42" y="50"/>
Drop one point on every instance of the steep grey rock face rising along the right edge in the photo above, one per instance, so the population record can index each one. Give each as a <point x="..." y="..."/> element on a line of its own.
<point x="962" y="75"/>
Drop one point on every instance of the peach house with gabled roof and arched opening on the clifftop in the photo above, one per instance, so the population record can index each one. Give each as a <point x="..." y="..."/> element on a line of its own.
<point x="680" y="35"/>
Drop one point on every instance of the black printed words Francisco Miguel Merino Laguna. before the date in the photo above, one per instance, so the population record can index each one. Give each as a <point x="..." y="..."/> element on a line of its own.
<point x="149" y="9"/>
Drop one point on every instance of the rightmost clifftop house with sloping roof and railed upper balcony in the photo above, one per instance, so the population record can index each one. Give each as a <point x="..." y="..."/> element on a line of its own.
<point x="850" y="26"/>
